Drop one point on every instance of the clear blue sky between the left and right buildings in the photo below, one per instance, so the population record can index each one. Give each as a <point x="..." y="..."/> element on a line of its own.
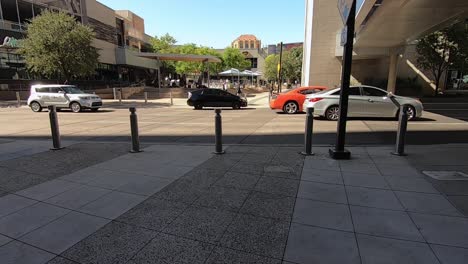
<point x="216" y="23"/>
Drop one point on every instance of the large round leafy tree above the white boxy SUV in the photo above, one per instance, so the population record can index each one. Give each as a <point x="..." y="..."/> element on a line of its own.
<point x="57" y="44"/>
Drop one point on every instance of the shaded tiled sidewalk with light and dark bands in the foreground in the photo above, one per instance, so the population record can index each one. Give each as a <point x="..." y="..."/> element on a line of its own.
<point x="96" y="203"/>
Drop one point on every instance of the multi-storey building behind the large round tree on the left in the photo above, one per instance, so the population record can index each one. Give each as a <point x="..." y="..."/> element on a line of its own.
<point x="119" y="35"/>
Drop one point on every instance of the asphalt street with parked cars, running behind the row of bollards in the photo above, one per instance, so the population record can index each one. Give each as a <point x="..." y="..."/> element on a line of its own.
<point x="255" y="125"/>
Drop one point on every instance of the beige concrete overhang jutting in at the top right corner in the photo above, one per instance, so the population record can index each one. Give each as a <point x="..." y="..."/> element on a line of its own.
<point x="394" y="23"/>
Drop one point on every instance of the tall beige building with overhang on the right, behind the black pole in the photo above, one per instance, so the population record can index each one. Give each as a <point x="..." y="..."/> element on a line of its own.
<point x="384" y="45"/>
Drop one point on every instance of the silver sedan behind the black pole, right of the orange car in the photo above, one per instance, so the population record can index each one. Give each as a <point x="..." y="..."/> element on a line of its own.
<point x="364" y="101"/>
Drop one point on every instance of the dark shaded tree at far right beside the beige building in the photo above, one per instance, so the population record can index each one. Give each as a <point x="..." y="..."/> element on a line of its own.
<point x="437" y="52"/>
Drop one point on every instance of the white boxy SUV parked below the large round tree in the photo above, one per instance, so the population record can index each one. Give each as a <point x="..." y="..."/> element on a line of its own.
<point x="62" y="96"/>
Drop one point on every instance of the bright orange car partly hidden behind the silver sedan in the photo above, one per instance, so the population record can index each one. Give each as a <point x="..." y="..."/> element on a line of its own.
<point x="291" y="101"/>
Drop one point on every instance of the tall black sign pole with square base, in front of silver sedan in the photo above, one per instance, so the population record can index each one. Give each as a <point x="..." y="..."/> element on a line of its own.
<point x="339" y="152"/>
